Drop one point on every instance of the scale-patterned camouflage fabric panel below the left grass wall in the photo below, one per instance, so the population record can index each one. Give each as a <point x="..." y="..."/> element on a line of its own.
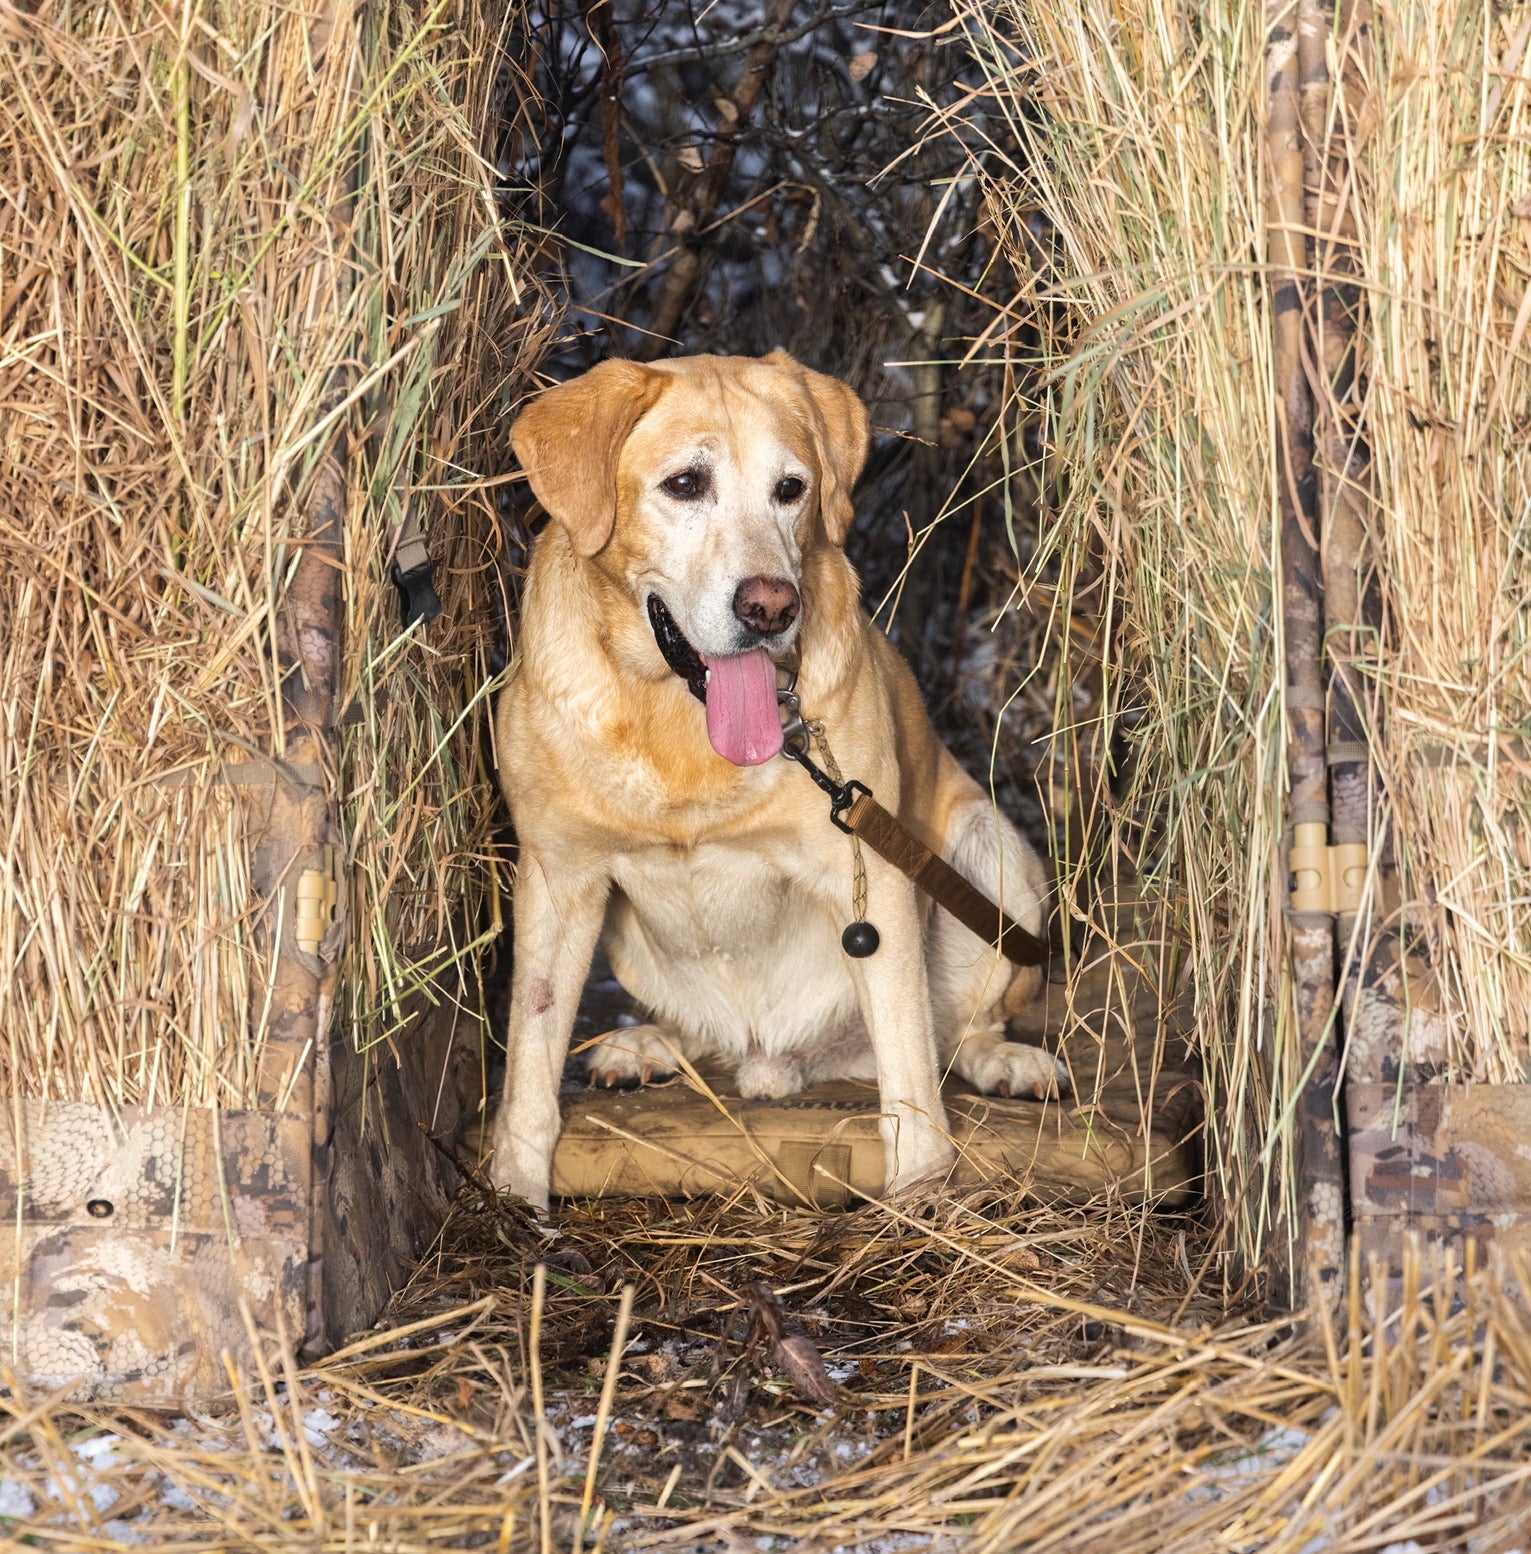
<point x="128" y="1242"/>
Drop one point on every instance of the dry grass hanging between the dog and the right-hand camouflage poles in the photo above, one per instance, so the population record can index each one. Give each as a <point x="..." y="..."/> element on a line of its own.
<point x="1142" y="349"/>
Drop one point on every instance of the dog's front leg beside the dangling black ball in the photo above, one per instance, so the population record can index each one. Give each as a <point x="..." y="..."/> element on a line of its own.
<point x="893" y="991"/>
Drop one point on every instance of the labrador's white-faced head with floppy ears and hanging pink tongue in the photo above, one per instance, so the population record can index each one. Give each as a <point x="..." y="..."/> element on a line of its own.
<point x="702" y="484"/>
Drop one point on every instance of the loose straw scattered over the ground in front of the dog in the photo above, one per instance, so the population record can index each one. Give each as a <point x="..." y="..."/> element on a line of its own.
<point x="1006" y="1378"/>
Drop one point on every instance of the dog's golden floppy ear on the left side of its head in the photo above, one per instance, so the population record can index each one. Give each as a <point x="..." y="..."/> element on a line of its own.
<point x="570" y="441"/>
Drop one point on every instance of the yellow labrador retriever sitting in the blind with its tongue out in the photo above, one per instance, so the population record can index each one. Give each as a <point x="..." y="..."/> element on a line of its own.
<point x="710" y="498"/>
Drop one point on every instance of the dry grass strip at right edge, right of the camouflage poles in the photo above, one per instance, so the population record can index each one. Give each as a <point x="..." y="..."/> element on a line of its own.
<point x="1448" y="251"/>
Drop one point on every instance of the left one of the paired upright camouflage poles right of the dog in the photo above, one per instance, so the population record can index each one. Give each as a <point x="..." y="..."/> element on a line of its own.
<point x="1319" y="1249"/>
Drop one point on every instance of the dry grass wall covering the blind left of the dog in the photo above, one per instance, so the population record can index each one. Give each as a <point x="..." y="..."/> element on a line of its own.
<point x="235" y="242"/>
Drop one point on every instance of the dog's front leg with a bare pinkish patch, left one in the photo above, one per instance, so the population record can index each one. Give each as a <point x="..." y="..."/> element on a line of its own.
<point x="557" y="921"/>
